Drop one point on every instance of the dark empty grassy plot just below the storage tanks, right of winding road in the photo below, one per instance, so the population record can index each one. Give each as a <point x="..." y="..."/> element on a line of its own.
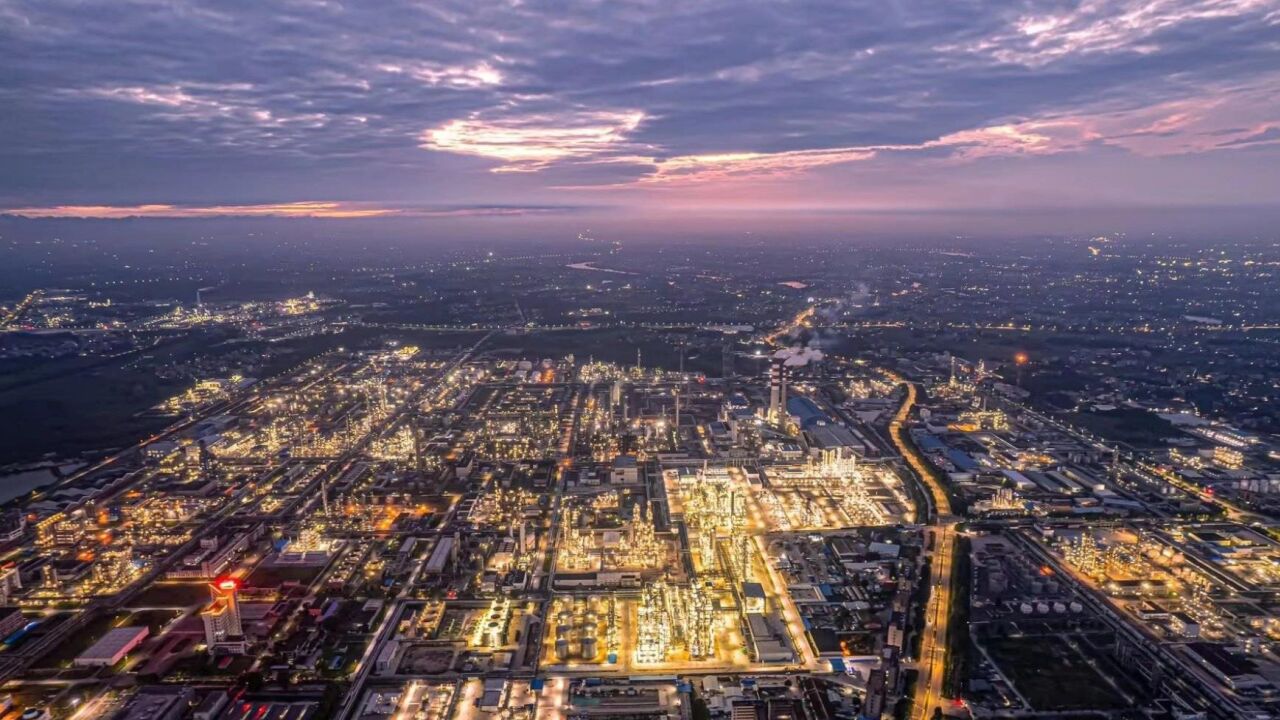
<point x="1052" y="675"/>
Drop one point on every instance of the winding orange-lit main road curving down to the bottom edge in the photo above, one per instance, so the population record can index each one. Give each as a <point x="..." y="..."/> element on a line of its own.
<point x="938" y="616"/>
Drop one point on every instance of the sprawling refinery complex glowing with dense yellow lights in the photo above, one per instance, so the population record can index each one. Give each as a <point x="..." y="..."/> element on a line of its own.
<point x="456" y="537"/>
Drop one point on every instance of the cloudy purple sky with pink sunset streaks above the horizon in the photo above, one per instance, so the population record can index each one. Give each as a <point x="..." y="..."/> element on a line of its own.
<point x="533" y="110"/>
